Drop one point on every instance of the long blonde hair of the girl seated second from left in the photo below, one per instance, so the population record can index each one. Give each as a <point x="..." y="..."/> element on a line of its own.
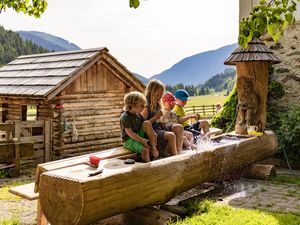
<point x="153" y="87"/>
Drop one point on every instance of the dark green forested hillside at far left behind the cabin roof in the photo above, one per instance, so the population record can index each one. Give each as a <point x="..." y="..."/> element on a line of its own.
<point x="12" y="46"/>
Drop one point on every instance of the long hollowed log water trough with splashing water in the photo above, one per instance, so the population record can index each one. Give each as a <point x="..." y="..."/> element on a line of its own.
<point x="70" y="196"/>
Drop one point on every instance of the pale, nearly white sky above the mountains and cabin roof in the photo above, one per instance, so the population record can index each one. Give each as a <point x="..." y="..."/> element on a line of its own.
<point x="146" y="40"/>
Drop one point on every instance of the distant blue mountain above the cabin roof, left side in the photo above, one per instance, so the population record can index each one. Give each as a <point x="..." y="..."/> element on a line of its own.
<point x="48" y="41"/>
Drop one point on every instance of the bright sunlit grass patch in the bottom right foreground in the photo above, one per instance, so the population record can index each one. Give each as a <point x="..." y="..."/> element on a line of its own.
<point x="212" y="214"/>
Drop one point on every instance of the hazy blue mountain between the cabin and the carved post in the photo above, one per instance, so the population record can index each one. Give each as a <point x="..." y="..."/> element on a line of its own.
<point x="198" y="68"/>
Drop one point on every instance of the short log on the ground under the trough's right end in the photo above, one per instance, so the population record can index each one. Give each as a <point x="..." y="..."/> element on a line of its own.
<point x="260" y="171"/>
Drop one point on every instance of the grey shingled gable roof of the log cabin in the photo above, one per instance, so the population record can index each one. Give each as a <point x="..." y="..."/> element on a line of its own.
<point x="45" y="75"/>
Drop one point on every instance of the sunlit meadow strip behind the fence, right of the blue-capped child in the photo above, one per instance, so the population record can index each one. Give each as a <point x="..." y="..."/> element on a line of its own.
<point x="206" y="100"/>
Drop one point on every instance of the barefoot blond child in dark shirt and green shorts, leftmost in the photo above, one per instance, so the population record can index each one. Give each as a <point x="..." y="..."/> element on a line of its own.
<point x="135" y="130"/>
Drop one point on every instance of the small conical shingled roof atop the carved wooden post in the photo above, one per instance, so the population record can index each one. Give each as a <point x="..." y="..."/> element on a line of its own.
<point x="256" y="51"/>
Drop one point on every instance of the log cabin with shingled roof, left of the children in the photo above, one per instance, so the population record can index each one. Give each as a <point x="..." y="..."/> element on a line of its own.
<point x="68" y="103"/>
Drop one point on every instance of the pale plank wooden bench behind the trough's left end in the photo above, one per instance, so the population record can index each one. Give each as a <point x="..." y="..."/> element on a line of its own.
<point x="30" y="191"/>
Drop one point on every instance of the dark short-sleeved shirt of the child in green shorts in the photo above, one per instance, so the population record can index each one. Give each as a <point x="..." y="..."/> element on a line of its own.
<point x="130" y="120"/>
